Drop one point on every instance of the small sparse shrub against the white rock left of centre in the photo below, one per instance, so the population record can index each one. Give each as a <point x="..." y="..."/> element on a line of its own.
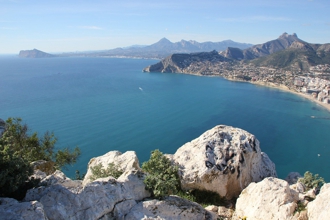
<point x="99" y="172"/>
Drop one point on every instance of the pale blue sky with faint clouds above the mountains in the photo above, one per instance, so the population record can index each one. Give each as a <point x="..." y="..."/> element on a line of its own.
<point x="72" y="25"/>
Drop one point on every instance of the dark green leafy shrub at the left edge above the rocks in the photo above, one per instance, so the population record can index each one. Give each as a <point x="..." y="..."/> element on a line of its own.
<point x="18" y="148"/>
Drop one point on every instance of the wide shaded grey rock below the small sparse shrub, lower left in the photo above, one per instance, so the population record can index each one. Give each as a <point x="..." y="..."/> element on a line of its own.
<point x="103" y="198"/>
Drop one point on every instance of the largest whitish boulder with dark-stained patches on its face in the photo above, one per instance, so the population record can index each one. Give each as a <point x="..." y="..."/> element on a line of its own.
<point x="224" y="160"/>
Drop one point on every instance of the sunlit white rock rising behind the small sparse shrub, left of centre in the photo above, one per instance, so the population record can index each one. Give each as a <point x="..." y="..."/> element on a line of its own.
<point x="126" y="161"/>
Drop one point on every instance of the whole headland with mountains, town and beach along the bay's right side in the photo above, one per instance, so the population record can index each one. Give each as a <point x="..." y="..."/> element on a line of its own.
<point x="287" y="63"/>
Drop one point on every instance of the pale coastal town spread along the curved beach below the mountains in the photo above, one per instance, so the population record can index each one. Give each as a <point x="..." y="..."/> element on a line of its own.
<point x="313" y="84"/>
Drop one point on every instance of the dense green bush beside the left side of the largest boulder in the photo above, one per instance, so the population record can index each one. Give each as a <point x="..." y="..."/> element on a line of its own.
<point x="162" y="177"/>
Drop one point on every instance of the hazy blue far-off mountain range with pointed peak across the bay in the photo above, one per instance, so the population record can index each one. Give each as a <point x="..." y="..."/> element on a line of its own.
<point x="164" y="48"/>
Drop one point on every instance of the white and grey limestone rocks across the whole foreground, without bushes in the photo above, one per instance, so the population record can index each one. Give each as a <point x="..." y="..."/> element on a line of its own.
<point x="224" y="160"/>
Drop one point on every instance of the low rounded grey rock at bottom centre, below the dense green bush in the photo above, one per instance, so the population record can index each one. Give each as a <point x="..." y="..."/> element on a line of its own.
<point x="170" y="208"/>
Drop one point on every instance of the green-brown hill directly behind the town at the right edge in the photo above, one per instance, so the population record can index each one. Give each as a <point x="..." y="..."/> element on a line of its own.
<point x="299" y="56"/>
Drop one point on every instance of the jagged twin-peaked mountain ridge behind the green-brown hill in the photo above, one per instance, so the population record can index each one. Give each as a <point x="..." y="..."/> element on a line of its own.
<point x="284" y="41"/>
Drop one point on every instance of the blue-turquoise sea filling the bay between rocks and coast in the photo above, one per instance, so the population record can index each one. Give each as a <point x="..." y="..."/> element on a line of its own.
<point x="104" y="104"/>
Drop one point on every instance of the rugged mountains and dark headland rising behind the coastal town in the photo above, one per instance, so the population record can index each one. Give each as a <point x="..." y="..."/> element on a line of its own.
<point x="286" y="52"/>
